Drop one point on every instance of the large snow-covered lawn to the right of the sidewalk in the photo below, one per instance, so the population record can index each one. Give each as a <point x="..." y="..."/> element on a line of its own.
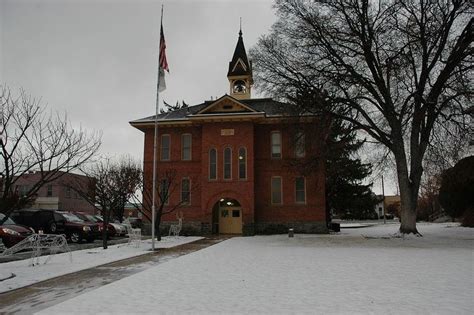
<point x="365" y="270"/>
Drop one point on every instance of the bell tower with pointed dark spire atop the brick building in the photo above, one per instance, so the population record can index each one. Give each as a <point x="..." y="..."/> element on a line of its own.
<point x="240" y="72"/>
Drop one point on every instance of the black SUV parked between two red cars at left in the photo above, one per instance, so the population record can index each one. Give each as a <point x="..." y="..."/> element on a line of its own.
<point x="41" y="220"/>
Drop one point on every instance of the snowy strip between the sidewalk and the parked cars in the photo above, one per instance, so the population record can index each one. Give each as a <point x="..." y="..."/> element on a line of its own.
<point x="60" y="264"/>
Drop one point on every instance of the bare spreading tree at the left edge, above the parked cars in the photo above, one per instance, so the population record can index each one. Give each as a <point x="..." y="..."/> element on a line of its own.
<point x="34" y="140"/>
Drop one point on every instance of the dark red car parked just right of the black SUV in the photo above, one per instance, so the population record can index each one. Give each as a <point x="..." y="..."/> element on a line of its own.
<point x="78" y="230"/>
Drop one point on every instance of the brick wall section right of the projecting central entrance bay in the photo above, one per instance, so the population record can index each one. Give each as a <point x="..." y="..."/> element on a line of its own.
<point x="266" y="167"/>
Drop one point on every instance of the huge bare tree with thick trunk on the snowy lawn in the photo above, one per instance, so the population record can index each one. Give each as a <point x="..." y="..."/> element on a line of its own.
<point x="400" y="71"/>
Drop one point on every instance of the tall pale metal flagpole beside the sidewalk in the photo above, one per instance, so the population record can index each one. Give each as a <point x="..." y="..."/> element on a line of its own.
<point x="155" y="139"/>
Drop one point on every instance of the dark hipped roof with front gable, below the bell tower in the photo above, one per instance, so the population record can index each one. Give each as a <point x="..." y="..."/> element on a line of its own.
<point x="267" y="106"/>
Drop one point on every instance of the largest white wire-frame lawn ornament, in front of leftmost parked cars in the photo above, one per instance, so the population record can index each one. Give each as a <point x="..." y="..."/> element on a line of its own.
<point x="37" y="243"/>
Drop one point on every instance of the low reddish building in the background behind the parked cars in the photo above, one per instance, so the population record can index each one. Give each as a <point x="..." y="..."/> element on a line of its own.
<point x="56" y="195"/>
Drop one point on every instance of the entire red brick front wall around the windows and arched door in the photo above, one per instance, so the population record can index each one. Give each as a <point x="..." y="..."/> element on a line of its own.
<point x="253" y="193"/>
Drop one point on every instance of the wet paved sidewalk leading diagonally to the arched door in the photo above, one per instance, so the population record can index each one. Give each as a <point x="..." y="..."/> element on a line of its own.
<point x="47" y="293"/>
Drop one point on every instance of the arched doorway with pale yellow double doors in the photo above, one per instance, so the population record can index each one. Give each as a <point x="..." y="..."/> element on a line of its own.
<point x="227" y="217"/>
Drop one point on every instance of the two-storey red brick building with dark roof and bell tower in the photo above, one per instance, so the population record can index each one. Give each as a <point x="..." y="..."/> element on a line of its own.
<point x="233" y="162"/>
